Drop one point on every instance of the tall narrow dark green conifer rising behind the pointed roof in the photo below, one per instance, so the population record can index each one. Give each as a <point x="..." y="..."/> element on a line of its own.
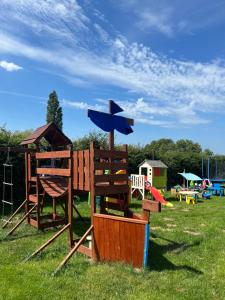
<point x="54" y="110"/>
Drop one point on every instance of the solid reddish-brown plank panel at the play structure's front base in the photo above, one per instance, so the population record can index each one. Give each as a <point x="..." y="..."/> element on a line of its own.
<point x="119" y="239"/>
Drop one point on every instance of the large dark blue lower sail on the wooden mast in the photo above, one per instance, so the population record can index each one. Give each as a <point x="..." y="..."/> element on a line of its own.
<point x="108" y="122"/>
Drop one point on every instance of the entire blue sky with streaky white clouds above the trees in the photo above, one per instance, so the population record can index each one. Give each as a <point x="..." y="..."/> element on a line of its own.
<point x="162" y="61"/>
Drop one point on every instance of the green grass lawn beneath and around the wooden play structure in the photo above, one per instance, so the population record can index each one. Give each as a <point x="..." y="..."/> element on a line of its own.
<point x="186" y="261"/>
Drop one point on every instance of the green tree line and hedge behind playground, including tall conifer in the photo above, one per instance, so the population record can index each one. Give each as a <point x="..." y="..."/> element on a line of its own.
<point x="178" y="155"/>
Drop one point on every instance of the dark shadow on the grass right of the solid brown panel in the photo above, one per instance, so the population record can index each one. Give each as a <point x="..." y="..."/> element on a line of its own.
<point x="158" y="262"/>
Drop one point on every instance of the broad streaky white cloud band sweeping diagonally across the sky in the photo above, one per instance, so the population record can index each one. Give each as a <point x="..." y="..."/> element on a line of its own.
<point x="170" y="92"/>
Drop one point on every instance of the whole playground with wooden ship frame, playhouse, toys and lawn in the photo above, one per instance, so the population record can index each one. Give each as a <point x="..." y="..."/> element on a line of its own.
<point x="88" y="229"/>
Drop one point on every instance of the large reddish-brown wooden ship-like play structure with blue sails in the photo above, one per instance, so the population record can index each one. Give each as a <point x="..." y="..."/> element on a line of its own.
<point x="61" y="173"/>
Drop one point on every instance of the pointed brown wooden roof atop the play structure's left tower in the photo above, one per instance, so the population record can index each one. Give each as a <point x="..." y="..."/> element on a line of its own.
<point x="53" y="135"/>
